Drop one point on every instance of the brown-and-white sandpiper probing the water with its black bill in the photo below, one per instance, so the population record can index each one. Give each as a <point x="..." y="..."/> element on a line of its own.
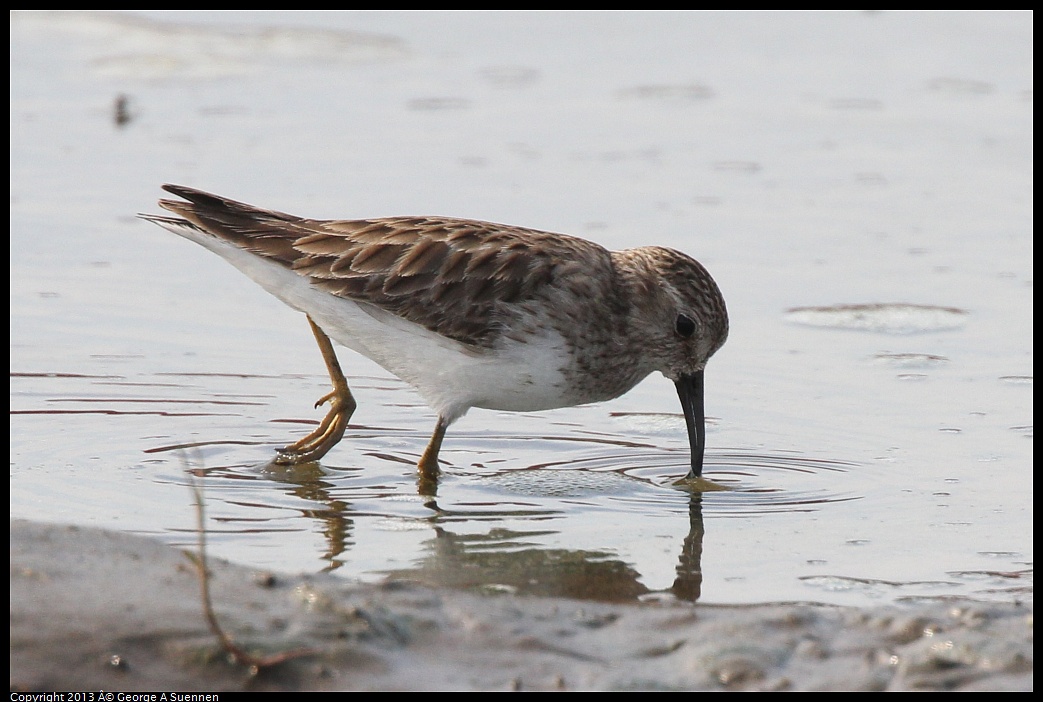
<point x="472" y="313"/>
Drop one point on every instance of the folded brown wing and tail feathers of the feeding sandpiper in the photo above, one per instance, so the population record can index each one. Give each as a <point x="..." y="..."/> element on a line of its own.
<point x="455" y="277"/>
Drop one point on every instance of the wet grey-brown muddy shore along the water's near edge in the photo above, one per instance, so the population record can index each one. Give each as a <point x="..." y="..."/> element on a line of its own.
<point x="94" y="611"/>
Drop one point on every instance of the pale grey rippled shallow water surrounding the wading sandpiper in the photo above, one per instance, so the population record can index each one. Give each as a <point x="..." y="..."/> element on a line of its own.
<point x="867" y="213"/>
